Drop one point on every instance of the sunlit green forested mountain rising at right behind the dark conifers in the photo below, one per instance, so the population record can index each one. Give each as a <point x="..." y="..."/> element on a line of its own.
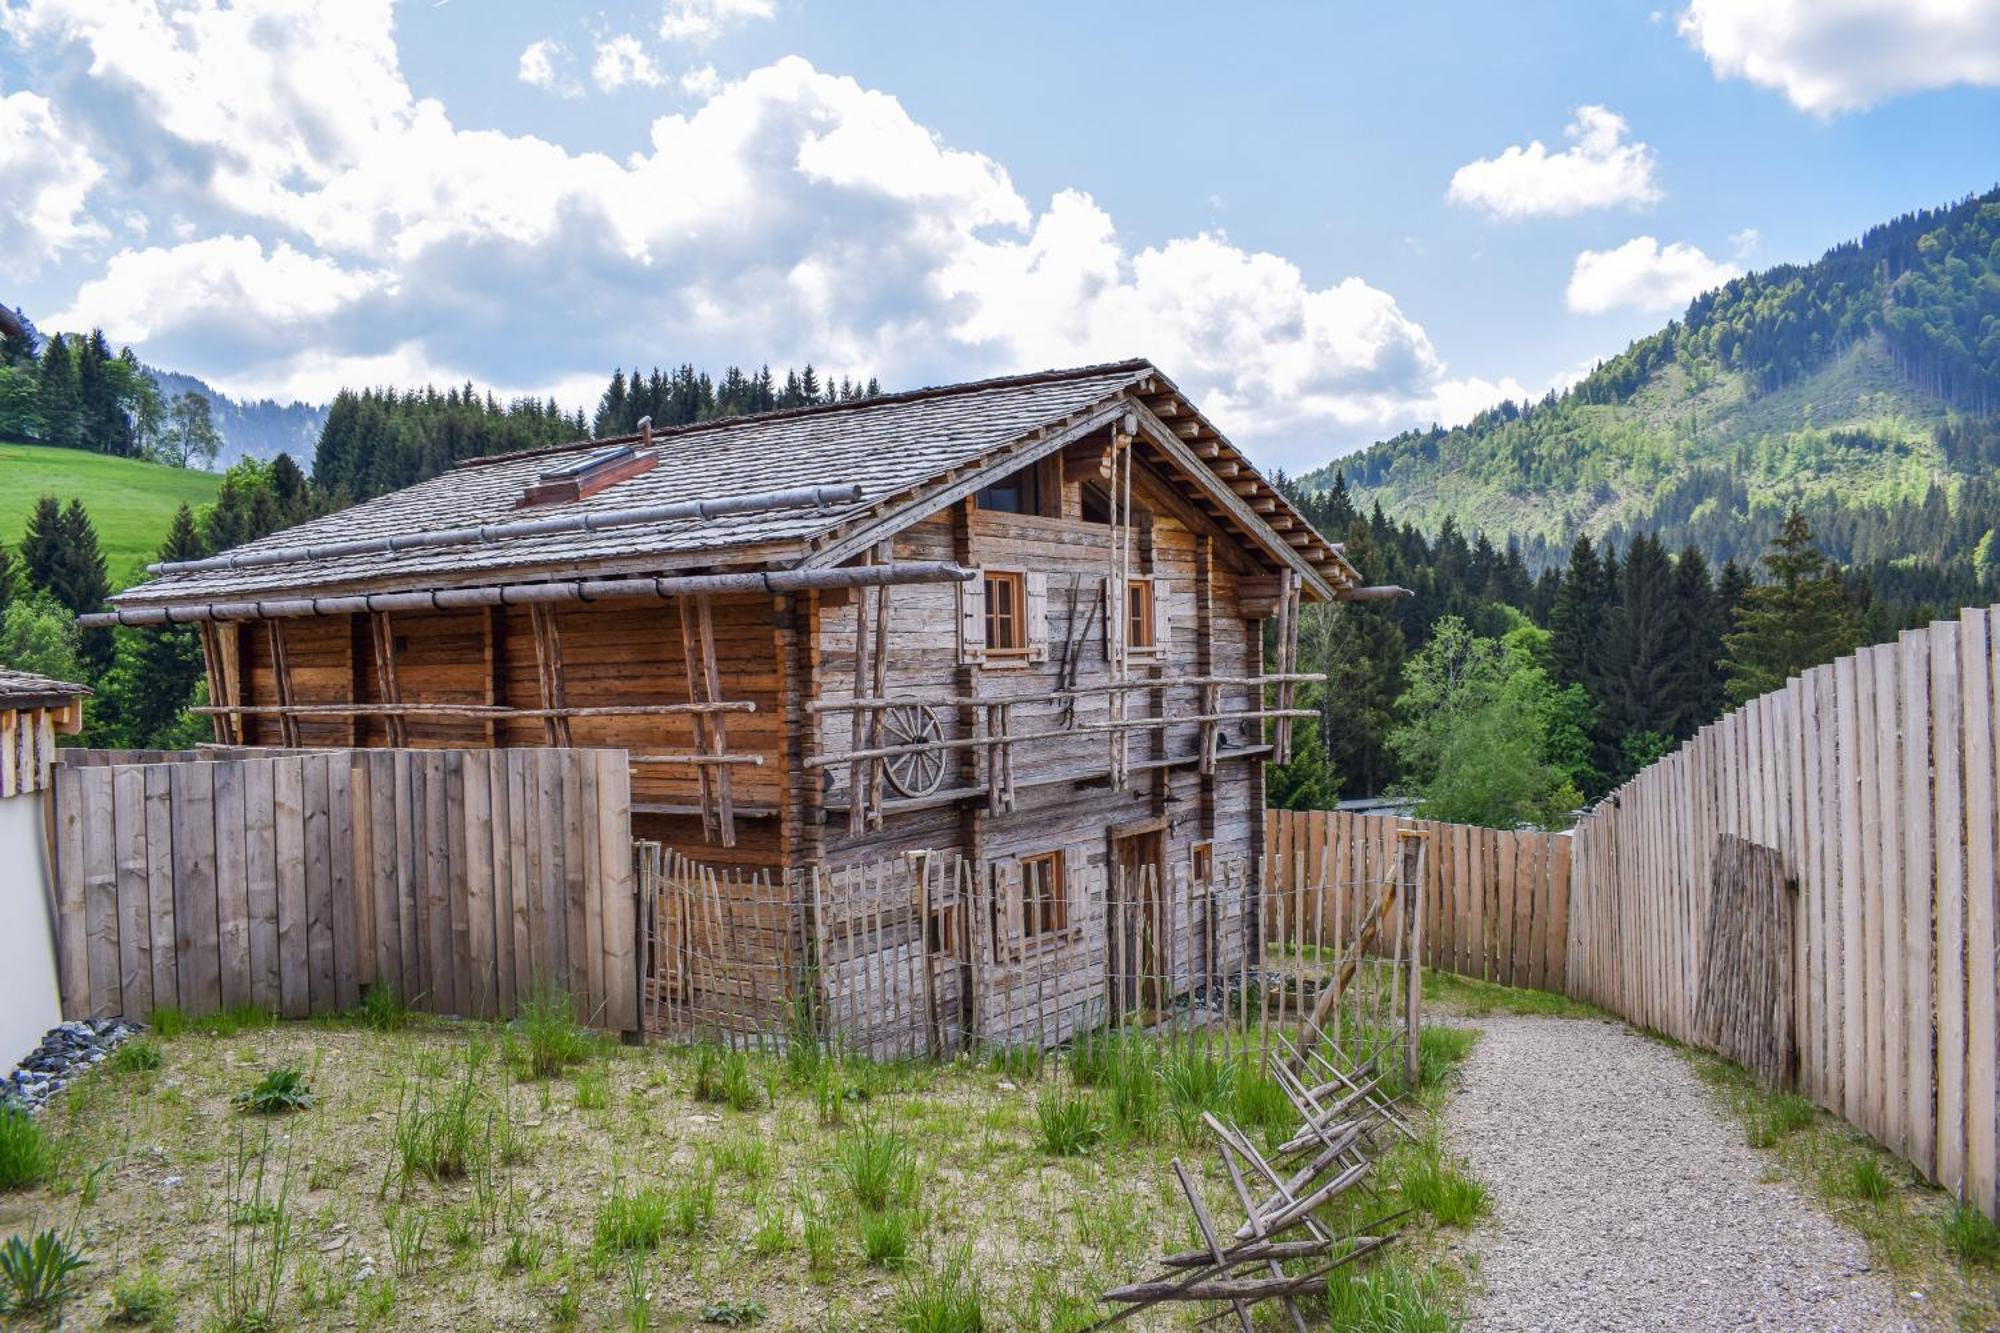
<point x="1863" y="387"/>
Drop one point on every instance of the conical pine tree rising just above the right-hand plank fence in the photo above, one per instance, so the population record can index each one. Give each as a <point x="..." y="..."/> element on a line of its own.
<point x="1791" y="623"/>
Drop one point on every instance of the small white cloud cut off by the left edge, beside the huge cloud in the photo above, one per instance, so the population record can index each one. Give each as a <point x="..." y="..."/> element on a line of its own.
<point x="49" y="177"/>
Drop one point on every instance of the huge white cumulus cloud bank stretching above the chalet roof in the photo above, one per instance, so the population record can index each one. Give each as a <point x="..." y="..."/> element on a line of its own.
<point x="345" y="245"/>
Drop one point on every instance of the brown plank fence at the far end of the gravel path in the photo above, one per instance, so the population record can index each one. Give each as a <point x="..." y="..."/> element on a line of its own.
<point x="1497" y="904"/>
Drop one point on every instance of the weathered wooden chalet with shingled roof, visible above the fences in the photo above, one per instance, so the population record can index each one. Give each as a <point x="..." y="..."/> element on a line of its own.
<point x="1019" y="621"/>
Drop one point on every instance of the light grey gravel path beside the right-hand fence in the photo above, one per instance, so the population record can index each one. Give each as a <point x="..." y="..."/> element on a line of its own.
<point x="1627" y="1200"/>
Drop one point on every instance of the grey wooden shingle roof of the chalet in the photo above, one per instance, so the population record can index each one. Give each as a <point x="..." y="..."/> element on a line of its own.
<point x="911" y="455"/>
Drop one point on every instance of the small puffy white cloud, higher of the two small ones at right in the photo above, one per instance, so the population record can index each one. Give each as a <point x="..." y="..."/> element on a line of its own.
<point x="1599" y="171"/>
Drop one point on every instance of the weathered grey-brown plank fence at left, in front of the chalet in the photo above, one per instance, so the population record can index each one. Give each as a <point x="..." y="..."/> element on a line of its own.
<point x="459" y="878"/>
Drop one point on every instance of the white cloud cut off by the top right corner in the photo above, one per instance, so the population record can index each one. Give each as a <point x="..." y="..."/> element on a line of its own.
<point x="1847" y="55"/>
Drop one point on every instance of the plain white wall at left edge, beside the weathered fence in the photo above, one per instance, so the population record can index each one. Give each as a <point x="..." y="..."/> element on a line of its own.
<point x="29" y="1002"/>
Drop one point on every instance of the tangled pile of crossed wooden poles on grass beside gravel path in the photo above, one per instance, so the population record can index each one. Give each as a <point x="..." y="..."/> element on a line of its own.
<point x="1281" y="1250"/>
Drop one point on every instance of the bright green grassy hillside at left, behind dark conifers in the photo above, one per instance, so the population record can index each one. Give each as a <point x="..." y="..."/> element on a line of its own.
<point x="129" y="501"/>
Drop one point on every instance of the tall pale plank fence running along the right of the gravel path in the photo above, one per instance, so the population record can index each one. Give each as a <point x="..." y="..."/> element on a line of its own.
<point x="1873" y="780"/>
